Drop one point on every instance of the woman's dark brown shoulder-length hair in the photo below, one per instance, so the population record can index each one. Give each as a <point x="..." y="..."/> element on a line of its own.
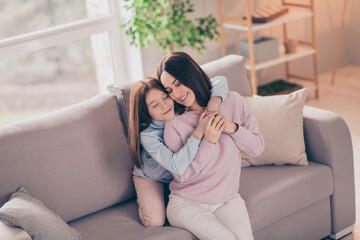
<point x="183" y="68"/>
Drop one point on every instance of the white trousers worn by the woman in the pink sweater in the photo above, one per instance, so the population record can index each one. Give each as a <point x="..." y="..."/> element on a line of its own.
<point x="228" y="220"/>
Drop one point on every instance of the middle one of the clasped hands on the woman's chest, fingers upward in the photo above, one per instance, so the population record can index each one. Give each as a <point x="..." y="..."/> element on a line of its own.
<point x="214" y="126"/>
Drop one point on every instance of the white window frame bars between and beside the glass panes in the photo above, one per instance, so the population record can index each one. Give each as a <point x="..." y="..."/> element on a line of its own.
<point x="123" y="56"/>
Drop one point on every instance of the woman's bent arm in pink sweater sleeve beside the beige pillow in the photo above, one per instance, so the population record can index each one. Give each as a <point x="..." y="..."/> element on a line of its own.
<point x="247" y="136"/>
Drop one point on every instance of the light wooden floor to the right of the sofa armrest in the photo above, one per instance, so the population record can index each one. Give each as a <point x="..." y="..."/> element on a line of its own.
<point x="343" y="98"/>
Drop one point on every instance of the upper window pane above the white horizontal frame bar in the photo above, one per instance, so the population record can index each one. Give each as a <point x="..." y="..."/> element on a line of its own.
<point x="19" y="17"/>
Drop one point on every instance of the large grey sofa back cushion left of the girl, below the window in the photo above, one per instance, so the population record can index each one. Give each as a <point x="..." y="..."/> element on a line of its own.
<point x="75" y="160"/>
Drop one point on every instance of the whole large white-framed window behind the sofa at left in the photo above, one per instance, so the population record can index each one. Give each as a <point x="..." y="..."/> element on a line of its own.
<point x="54" y="53"/>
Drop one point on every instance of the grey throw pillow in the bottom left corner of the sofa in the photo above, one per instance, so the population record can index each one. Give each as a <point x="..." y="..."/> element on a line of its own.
<point x="24" y="211"/>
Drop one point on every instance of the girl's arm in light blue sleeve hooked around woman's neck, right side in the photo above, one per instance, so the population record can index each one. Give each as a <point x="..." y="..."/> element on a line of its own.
<point x="218" y="91"/>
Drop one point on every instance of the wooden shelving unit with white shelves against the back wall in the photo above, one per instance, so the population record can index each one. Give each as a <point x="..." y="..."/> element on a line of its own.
<point x="305" y="48"/>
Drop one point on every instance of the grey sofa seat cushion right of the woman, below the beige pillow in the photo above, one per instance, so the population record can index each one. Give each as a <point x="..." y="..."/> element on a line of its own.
<point x="273" y="192"/>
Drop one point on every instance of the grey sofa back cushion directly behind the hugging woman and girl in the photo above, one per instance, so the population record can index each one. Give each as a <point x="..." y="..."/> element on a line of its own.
<point x="230" y="66"/>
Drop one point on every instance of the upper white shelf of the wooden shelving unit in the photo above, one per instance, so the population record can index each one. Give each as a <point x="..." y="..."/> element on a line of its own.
<point x="291" y="16"/>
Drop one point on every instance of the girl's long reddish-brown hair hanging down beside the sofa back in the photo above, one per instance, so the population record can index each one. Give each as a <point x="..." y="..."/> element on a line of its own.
<point x="139" y="117"/>
